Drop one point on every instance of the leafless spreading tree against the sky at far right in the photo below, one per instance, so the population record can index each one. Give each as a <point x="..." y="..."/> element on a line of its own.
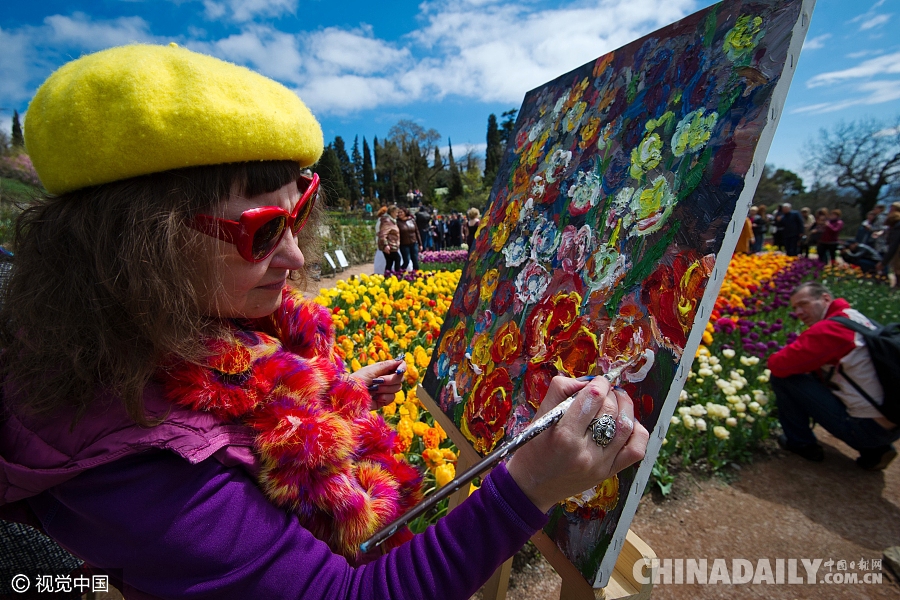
<point x="862" y="155"/>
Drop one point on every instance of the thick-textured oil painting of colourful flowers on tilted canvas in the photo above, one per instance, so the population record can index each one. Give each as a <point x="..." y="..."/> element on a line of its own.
<point x="614" y="215"/>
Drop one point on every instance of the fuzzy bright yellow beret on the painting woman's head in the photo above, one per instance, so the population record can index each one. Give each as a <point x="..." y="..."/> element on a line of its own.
<point x="140" y="109"/>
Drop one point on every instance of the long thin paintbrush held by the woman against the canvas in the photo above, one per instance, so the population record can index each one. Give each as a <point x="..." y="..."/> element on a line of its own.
<point x="491" y="460"/>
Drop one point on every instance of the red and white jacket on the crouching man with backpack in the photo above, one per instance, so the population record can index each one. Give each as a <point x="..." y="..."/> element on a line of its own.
<point x="825" y="345"/>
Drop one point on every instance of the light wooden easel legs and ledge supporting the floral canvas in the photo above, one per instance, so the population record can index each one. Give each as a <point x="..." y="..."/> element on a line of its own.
<point x="622" y="584"/>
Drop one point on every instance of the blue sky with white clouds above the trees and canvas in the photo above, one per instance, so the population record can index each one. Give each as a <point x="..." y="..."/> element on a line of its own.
<point x="361" y="66"/>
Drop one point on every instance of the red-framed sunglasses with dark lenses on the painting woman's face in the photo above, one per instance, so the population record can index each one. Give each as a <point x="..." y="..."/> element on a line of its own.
<point x="259" y="230"/>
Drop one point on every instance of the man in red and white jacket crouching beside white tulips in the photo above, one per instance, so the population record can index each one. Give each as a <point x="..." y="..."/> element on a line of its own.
<point x="809" y="385"/>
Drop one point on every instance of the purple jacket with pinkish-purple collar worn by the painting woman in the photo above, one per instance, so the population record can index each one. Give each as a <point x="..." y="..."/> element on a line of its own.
<point x="174" y="509"/>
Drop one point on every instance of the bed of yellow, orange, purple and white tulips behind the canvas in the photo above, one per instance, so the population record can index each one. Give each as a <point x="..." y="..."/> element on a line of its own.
<point x="725" y="409"/>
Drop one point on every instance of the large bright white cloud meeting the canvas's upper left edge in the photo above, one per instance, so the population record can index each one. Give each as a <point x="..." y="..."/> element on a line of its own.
<point x="498" y="52"/>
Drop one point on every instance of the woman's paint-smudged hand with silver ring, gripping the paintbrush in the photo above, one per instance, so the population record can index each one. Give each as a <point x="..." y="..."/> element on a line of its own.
<point x="564" y="460"/>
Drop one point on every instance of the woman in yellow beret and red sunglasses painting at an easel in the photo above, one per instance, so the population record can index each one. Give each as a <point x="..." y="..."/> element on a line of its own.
<point x="174" y="412"/>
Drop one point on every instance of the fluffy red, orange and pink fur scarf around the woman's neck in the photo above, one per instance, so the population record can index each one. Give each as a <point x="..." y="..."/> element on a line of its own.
<point x="325" y="456"/>
